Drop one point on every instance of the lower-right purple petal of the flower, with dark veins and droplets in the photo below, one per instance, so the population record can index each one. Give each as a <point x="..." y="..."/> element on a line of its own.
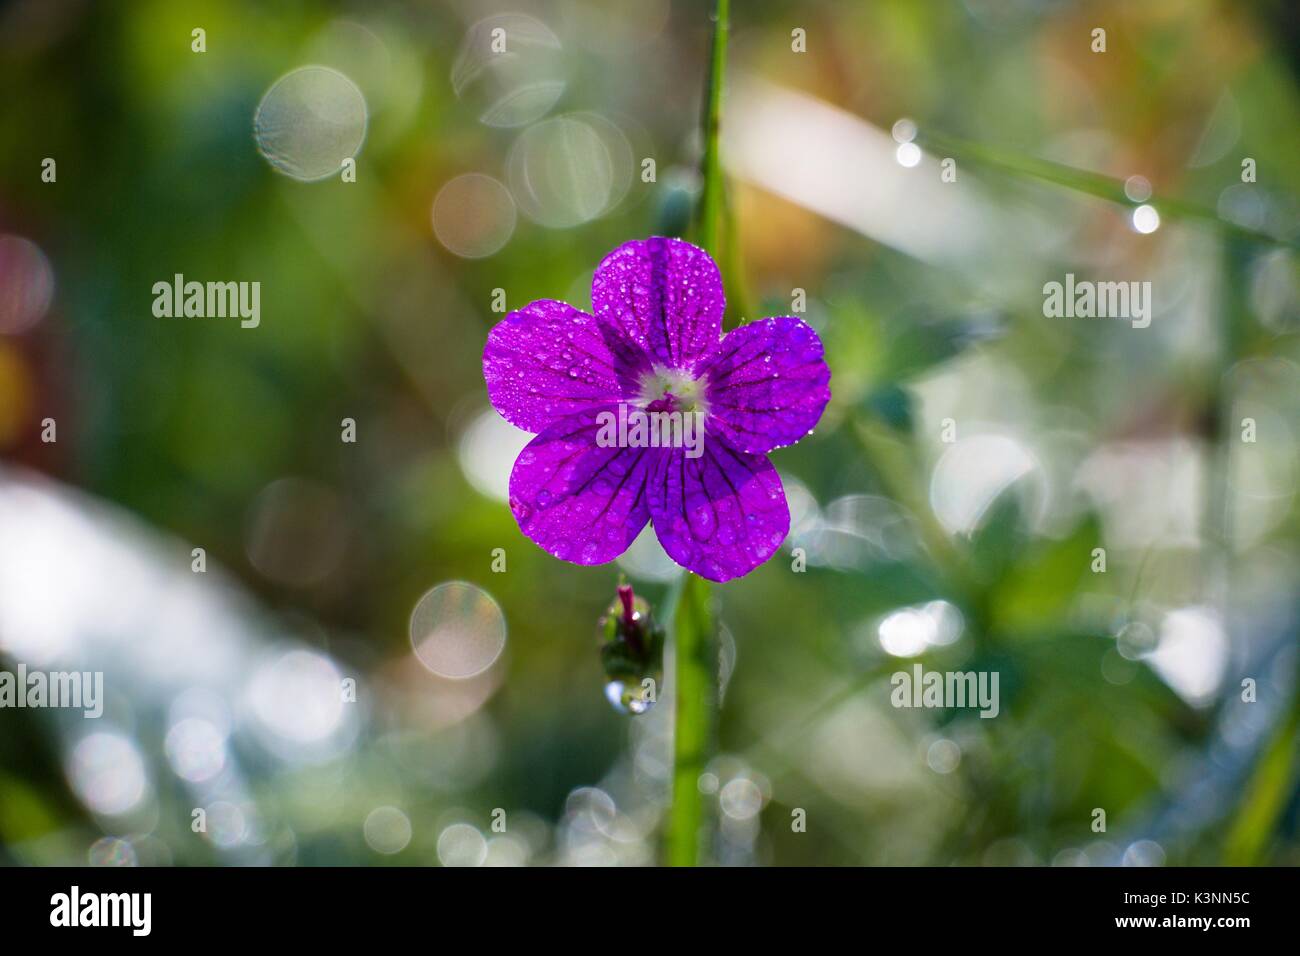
<point x="722" y="514"/>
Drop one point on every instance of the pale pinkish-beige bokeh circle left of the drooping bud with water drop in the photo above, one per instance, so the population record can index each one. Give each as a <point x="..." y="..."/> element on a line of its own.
<point x="458" y="630"/>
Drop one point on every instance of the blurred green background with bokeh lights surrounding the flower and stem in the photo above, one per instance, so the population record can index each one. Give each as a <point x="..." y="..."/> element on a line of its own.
<point x="1121" y="691"/>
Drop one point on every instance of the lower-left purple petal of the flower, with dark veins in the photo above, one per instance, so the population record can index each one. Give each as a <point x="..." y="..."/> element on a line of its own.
<point x="577" y="500"/>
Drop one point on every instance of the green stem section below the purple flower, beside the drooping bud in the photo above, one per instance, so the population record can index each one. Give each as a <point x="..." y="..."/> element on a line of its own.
<point x="696" y="694"/>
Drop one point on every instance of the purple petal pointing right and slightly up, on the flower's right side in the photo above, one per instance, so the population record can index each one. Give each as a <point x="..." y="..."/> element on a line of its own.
<point x="768" y="384"/>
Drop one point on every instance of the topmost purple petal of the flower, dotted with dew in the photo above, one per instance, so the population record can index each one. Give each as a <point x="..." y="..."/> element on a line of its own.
<point x="664" y="295"/>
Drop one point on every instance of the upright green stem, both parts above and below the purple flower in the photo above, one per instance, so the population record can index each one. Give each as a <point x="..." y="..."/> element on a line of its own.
<point x="694" y="622"/>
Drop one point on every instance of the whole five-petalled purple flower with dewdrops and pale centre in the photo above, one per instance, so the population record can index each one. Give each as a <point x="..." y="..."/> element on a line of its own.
<point x="655" y="345"/>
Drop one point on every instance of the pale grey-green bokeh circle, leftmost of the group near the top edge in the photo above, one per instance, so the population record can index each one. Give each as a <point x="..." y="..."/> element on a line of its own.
<point x="310" y="122"/>
